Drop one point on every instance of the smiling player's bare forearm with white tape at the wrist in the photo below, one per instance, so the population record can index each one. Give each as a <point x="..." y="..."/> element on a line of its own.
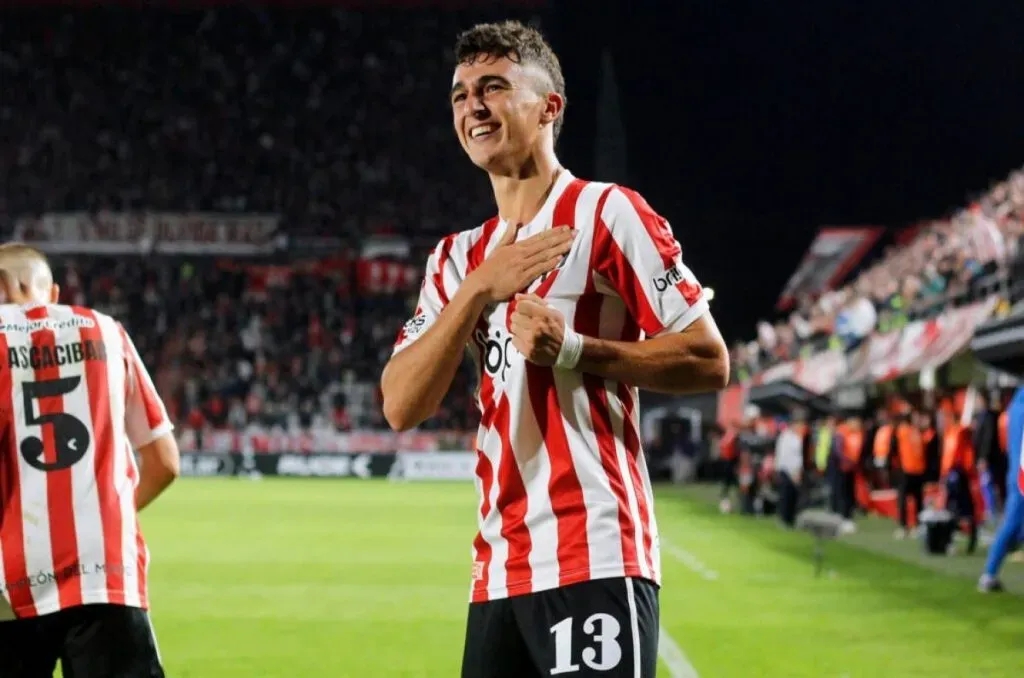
<point x="673" y="364"/>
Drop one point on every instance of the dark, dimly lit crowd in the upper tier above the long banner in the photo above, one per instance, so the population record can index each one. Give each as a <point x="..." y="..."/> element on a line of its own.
<point x="337" y="120"/>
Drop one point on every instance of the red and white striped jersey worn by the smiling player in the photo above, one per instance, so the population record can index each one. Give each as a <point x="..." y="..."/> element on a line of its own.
<point x="565" y="495"/>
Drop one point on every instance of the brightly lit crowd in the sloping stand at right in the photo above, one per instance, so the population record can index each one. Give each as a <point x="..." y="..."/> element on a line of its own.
<point x="937" y="265"/>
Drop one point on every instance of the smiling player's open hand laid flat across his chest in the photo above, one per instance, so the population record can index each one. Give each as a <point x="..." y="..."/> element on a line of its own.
<point x="513" y="267"/>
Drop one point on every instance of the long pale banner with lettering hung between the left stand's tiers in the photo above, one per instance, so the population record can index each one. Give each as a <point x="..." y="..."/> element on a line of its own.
<point x="150" y="233"/>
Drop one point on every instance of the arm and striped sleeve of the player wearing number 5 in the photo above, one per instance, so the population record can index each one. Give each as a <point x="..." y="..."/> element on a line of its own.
<point x="149" y="430"/>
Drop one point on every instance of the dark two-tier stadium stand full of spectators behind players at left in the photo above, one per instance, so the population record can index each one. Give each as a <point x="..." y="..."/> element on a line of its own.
<point x="304" y="116"/>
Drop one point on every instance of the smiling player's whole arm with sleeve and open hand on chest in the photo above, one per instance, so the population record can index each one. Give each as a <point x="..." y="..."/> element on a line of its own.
<point x="431" y="348"/>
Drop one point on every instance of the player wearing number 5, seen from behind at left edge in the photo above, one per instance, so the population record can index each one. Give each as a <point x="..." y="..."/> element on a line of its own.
<point x="75" y="401"/>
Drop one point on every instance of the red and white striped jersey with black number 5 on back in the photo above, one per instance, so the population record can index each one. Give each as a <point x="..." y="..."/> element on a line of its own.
<point x="76" y="400"/>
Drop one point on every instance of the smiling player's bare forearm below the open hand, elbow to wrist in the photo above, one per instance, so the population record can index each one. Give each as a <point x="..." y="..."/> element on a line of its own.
<point x="416" y="380"/>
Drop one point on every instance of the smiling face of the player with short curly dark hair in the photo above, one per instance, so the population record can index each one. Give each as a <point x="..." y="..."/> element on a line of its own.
<point x="499" y="113"/>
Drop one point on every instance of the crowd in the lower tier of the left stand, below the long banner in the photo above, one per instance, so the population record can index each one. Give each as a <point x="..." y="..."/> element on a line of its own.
<point x="232" y="349"/>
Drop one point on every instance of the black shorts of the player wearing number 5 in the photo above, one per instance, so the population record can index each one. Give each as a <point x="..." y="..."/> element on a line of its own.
<point x="91" y="642"/>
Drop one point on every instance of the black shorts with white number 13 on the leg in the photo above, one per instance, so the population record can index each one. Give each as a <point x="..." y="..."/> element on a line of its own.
<point x="601" y="629"/>
